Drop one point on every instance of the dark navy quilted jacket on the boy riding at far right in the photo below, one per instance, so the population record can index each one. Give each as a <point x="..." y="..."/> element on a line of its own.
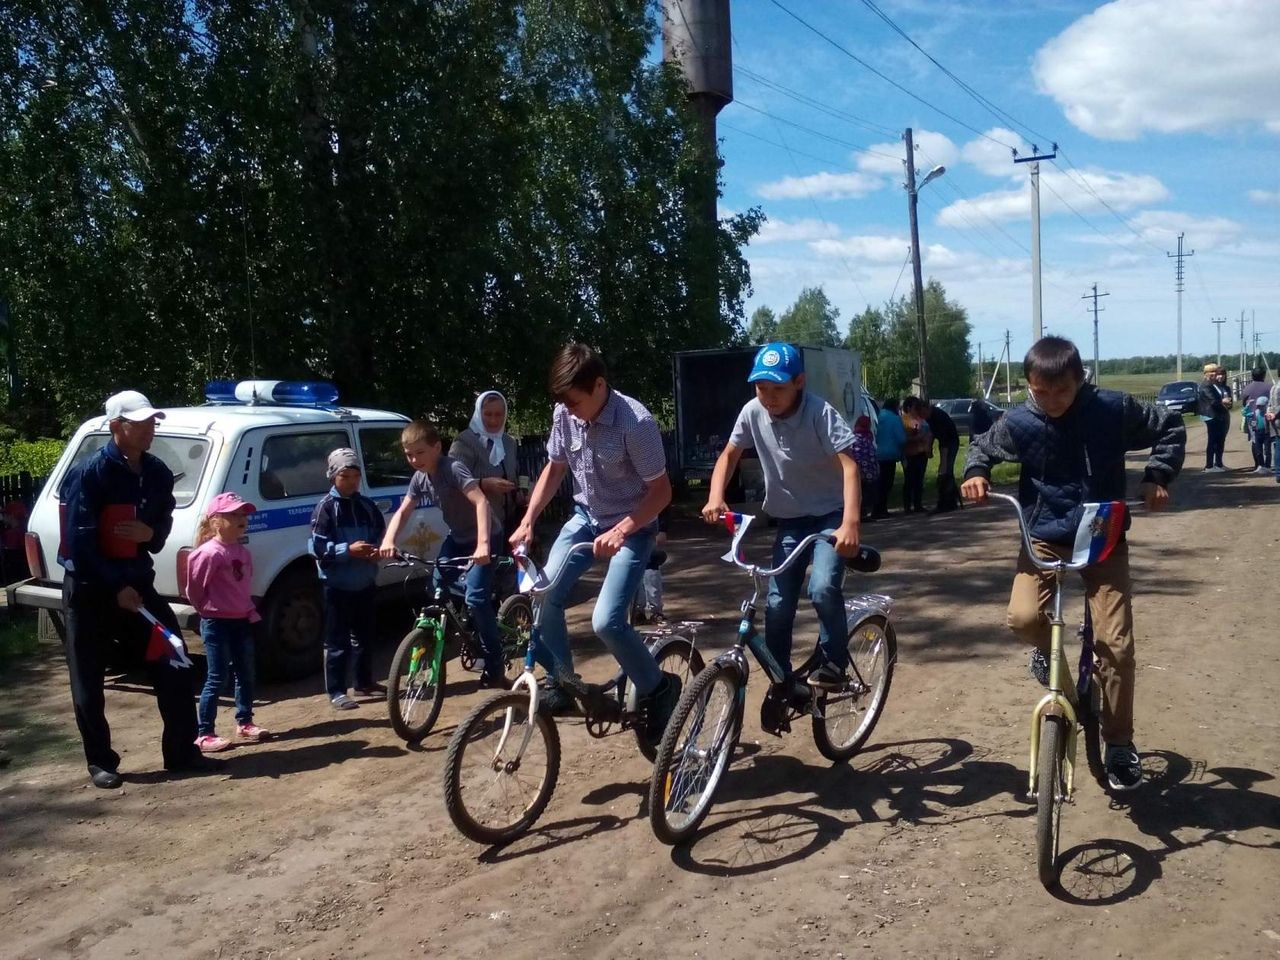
<point x="1078" y="458"/>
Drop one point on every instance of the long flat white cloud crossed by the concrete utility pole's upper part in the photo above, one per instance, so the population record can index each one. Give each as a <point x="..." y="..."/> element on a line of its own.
<point x="1122" y="191"/>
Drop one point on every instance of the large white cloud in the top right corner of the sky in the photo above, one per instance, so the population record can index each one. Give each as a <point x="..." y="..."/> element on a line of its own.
<point x="1167" y="66"/>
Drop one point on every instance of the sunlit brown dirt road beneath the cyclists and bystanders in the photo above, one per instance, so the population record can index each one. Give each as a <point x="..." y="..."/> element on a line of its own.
<point x="332" y="842"/>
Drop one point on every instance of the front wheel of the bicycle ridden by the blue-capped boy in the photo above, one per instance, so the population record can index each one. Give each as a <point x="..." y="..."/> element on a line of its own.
<point x="694" y="753"/>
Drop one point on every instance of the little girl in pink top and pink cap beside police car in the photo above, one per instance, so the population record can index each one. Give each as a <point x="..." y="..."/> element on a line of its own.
<point x="220" y="575"/>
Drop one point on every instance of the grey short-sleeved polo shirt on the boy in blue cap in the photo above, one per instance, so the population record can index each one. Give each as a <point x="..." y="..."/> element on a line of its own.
<point x="796" y="452"/>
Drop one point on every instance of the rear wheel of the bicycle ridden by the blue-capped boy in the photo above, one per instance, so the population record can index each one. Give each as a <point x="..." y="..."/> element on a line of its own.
<point x="848" y="716"/>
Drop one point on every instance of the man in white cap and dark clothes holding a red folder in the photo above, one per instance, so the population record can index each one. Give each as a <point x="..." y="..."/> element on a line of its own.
<point x="120" y="511"/>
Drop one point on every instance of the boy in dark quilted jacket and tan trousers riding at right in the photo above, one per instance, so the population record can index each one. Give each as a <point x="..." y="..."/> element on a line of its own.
<point x="1071" y="440"/>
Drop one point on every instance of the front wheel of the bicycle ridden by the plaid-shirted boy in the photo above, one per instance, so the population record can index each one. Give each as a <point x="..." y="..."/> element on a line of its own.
<point x="495" y="790"/>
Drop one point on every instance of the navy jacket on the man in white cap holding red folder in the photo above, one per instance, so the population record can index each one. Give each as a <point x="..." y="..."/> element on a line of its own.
<point x="103" y="481"/>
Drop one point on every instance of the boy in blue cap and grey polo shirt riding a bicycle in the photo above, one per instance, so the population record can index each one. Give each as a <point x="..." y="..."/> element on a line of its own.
<point x="811" y="486"/>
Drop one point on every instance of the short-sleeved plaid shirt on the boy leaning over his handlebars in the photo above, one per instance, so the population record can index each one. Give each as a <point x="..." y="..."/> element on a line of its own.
<point x="611" y="459"/>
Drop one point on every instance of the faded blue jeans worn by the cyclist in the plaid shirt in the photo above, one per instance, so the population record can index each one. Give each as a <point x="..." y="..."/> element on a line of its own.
<point x="610" y="620"/>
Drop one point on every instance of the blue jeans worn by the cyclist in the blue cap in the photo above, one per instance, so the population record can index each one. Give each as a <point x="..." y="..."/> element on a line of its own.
<point x="825" y="591"/>
